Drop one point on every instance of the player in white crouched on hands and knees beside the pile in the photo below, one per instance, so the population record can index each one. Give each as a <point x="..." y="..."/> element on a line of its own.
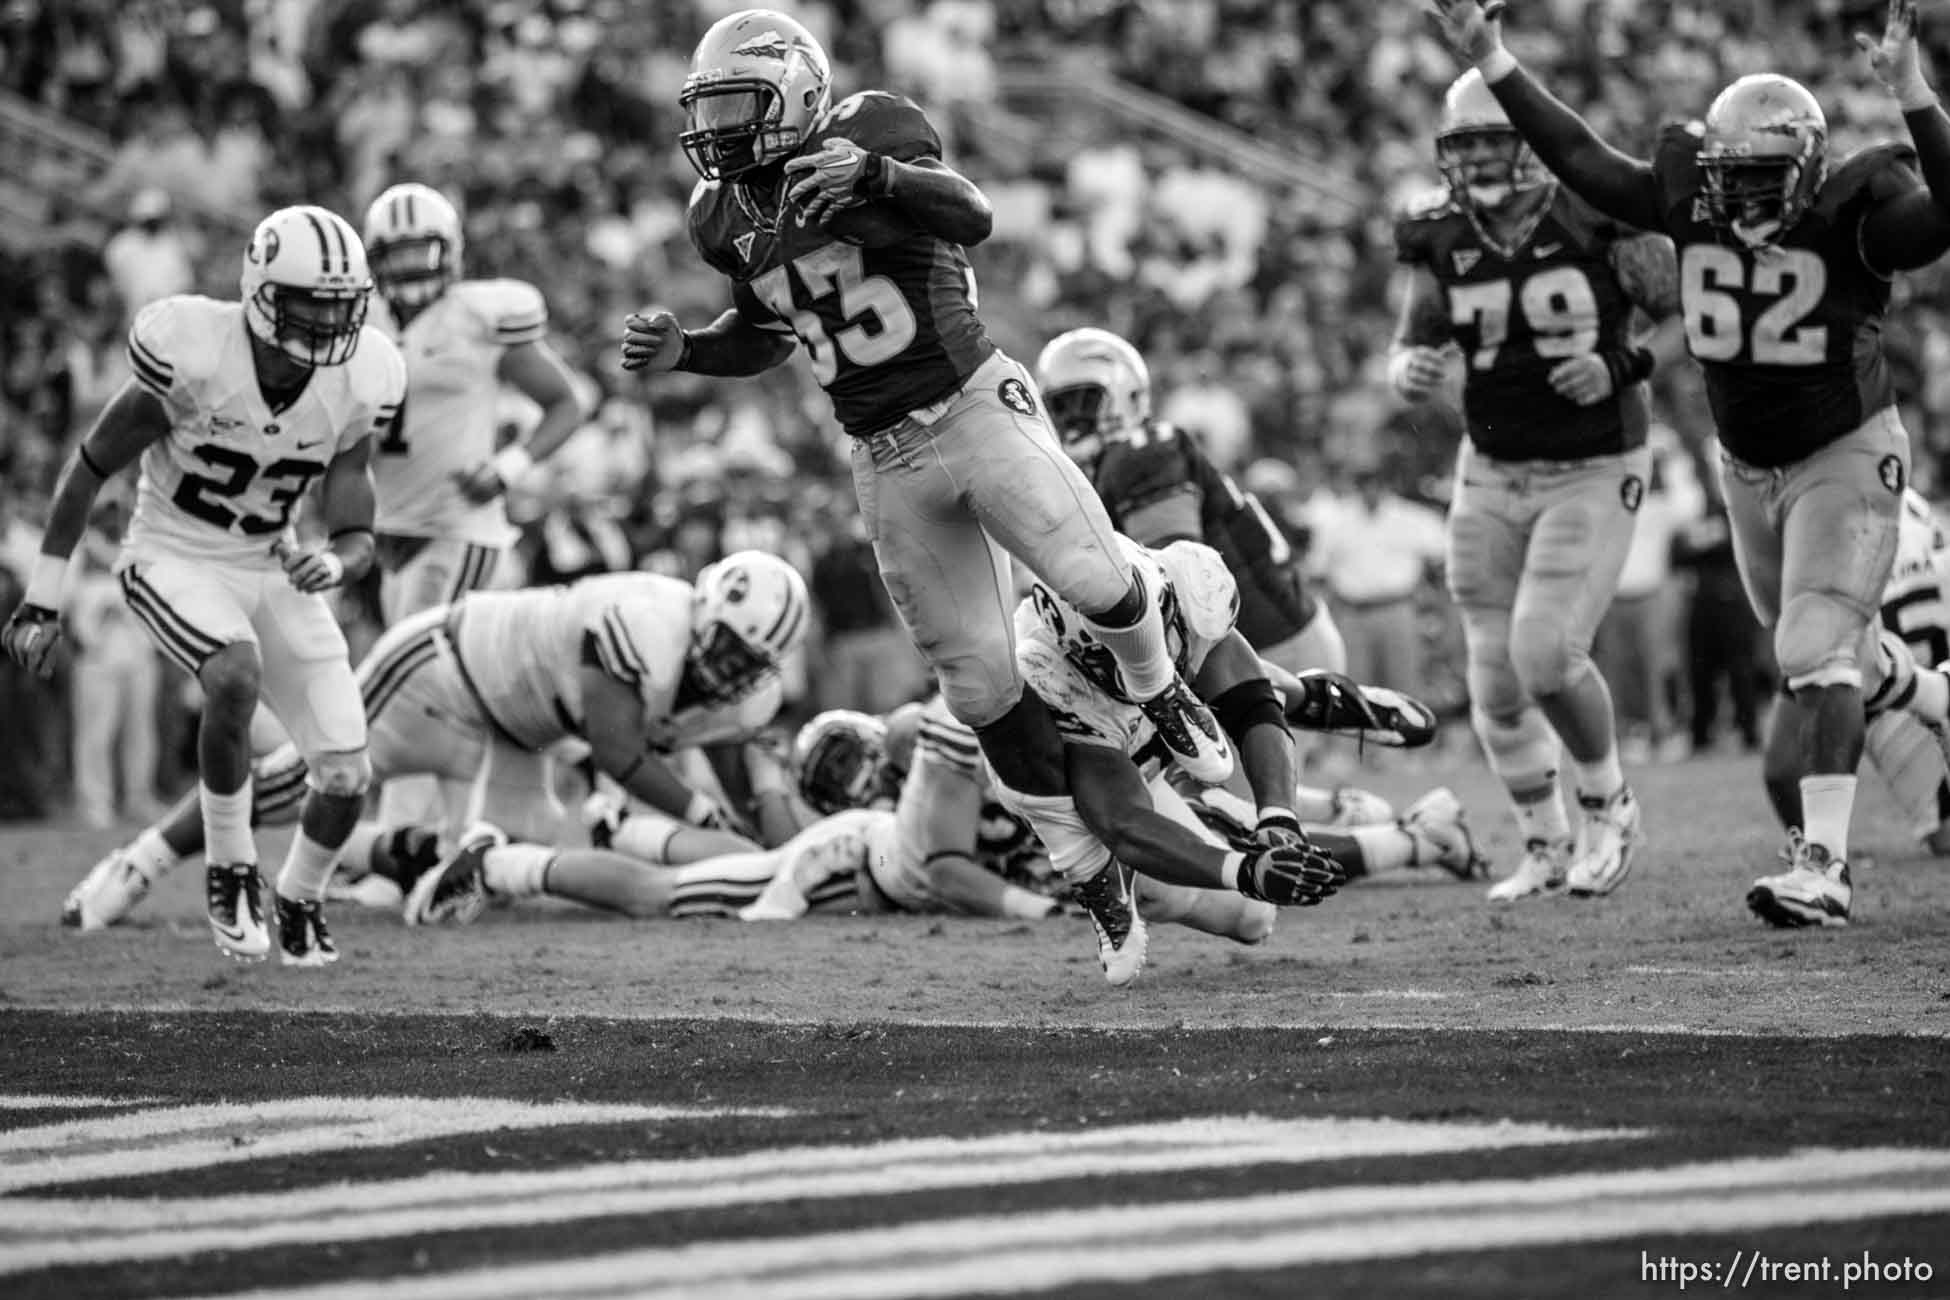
<point x="631" y="666"/>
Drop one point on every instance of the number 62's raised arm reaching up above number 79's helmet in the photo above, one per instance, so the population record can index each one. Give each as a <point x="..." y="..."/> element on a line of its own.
<point x="1616" y="184"/>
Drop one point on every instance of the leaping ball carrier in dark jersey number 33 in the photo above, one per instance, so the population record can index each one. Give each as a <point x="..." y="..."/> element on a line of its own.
<point x="843" y="231"/>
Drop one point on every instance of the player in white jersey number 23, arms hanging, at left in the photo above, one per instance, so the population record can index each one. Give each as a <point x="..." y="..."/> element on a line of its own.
<point x="235" y="408"/>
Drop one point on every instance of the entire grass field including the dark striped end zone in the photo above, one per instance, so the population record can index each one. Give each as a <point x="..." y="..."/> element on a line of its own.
<point x="1403" y="1094"/>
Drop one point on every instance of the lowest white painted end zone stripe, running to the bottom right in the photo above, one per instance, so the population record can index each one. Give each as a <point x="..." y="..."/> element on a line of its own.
<point x="1136" y="1243"/>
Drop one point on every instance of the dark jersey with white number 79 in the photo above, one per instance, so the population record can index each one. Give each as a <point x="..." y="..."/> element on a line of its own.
<point x="1518" y="315"/>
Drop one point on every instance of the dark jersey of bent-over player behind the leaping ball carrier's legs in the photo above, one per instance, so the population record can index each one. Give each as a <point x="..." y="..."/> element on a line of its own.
<point x="1159" y="486"/>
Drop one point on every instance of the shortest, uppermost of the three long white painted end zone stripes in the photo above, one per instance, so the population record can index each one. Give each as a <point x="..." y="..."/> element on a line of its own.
<point x="190" y="1137"/>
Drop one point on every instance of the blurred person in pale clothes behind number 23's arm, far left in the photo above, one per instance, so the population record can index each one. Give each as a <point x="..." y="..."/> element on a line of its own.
<point x="116" y="681"/>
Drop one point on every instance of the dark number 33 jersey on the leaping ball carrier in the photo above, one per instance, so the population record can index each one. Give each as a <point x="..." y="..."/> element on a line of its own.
<point x="888" y="317"/>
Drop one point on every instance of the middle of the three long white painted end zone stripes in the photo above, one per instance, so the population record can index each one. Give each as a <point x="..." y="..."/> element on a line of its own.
<point x="36" y="1235"/>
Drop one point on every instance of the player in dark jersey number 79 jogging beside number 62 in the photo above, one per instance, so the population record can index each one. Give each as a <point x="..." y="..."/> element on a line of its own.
<point x="1538" y="293"/>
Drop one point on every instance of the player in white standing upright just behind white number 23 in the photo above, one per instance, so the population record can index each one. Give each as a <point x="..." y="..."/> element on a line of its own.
<point x="442" y="519"/>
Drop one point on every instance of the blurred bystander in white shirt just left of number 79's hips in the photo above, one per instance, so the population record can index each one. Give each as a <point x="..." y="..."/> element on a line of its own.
<point x="1374" y="553"/>
